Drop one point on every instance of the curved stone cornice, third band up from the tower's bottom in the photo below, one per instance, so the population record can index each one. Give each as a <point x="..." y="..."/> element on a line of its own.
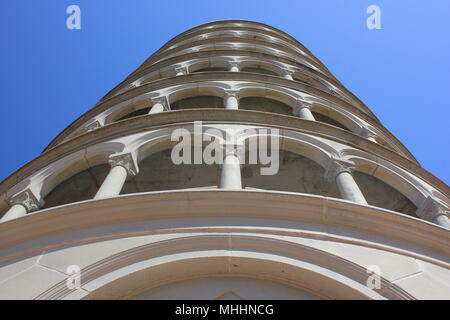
<point x="218" y="76"/>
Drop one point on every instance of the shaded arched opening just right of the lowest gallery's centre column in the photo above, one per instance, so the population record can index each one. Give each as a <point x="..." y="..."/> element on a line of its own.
<point x="296" y="174"/>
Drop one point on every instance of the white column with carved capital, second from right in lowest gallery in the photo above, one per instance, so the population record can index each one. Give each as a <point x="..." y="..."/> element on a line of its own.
<point x="340" y="171"/>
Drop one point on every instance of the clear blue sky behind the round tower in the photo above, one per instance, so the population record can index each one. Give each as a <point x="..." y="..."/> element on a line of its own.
<point x="51" y="75"/>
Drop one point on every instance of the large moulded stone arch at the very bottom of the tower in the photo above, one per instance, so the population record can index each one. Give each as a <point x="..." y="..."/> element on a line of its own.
<point x="319" y="272"/>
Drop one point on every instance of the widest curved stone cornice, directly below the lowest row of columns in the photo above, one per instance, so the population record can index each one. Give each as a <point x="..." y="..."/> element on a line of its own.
<point x="325" y="217"/>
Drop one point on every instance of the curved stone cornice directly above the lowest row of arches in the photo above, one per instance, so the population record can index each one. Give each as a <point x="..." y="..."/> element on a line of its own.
<point x="176" y="118"/>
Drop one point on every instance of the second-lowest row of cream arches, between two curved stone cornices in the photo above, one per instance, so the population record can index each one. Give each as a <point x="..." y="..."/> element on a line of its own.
<point x="250" y="96"/>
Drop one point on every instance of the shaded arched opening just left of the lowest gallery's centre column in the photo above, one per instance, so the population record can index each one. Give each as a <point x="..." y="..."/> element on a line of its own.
<point x="158" y="172"/>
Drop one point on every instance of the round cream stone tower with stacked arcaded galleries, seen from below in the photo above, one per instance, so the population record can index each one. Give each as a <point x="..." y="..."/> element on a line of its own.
<point x="311" y="197"/>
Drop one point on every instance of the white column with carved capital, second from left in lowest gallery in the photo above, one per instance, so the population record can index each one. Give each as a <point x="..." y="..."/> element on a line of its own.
<point x="122" y="166"/>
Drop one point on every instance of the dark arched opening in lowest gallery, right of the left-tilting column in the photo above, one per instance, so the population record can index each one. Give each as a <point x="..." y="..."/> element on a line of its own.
<point x="380" y="194"/>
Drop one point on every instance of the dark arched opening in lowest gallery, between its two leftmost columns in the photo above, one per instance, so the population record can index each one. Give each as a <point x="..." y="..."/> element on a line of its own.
<point x="81" y="186"/>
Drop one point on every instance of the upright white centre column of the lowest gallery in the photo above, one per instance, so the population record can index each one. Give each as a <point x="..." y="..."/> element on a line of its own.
<point x="230" y="175"/>
